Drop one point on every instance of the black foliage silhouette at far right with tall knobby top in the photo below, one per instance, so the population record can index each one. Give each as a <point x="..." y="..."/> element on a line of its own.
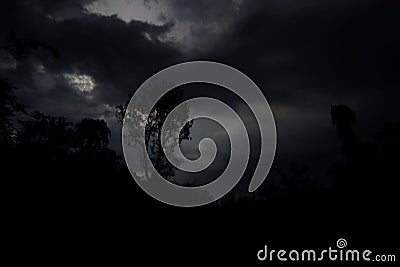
<point x="368" y="175"/>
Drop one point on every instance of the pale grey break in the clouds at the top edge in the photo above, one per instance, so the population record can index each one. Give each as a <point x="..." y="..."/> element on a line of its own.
<point x="195" y="25"/>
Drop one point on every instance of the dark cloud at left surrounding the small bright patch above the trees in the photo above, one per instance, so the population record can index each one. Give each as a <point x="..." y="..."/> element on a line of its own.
<point x="116" y="55"/>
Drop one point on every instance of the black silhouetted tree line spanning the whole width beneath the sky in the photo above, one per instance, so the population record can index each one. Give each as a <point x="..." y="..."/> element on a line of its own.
<point x="53" y="161"/>
